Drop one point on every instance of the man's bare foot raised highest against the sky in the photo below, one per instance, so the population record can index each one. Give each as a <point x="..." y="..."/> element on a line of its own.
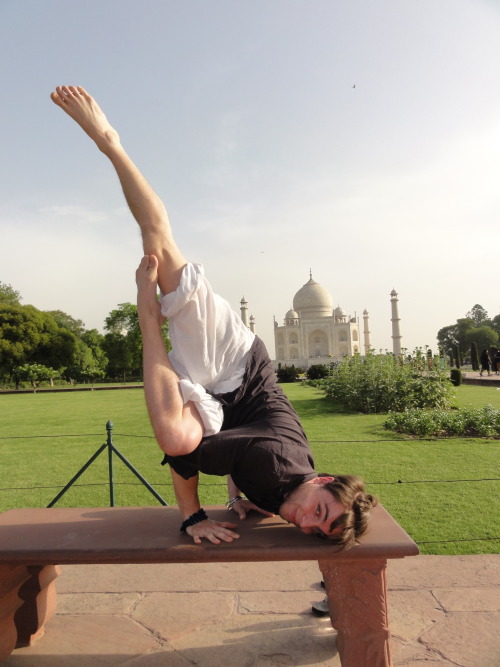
<point x="82" y="107"/>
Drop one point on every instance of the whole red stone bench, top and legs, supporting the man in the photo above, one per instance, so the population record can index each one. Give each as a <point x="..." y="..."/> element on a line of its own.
<point x="34" y="542"/>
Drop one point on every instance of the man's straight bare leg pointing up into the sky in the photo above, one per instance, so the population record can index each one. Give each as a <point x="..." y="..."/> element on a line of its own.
<point x="144" y="203"/>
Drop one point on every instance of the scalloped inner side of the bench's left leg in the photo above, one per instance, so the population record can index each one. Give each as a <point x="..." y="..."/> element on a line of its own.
<point x="39" y="597"/>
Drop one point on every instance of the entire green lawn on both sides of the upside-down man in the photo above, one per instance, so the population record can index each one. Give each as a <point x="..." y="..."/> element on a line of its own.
<point x="441" y="491"/>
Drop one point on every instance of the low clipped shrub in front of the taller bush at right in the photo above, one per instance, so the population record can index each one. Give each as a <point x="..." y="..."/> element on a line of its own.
<point x="471" y="422"/>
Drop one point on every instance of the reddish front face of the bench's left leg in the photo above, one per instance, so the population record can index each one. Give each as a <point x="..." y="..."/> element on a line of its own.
<point x="12" y="577"/>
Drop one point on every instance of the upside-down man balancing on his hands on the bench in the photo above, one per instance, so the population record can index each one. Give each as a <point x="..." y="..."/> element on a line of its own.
<point x="213" y="401"/>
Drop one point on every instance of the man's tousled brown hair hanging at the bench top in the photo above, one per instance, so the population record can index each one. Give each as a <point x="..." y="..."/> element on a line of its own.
<point x="350" y="491"/>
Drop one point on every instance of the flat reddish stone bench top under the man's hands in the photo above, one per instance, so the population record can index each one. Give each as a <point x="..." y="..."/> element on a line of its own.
<point x="151" y="535"/>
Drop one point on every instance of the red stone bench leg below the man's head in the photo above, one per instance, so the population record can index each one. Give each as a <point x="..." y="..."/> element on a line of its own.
<point x="357" y="599"/>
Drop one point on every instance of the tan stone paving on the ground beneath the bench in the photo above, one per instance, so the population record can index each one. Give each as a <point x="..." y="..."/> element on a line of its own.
<point x="445" y="610"/>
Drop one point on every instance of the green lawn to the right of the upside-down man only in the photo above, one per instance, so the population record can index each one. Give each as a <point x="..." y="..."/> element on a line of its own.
<point x="441" y="491"/>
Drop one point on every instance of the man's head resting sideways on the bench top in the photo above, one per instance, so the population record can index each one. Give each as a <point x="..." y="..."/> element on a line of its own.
<point x="335" y="508"/>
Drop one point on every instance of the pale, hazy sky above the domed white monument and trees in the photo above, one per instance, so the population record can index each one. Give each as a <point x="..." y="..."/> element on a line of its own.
<point x="356" y="139"/>
